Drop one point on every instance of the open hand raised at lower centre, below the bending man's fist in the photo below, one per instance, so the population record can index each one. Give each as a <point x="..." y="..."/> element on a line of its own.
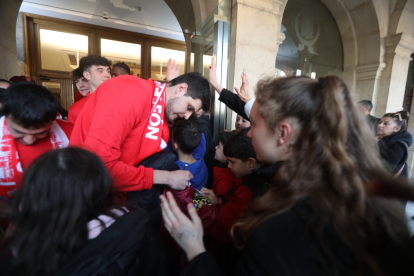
<point x="188" y="233"/>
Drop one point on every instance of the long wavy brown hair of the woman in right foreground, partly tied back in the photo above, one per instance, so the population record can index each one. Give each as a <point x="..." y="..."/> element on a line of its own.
<point x="325" y="165"/>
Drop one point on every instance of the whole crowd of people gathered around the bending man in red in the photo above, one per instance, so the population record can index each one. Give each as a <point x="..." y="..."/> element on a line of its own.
<point x="133" y="181"/>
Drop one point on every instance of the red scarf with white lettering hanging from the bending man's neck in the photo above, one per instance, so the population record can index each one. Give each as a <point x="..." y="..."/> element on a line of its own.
<point x="155" y="136"/>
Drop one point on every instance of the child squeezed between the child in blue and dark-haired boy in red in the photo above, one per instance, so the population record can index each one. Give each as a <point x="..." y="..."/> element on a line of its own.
<point x="223" y="176"/>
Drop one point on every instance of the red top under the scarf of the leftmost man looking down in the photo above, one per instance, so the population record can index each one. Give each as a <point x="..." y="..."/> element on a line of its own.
<point x="27" y="154"/>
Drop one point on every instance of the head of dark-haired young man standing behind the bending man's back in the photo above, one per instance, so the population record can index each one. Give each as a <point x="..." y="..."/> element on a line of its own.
<point x="96" y="70"/>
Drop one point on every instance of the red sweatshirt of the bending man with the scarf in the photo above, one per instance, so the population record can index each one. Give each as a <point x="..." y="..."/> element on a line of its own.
<point x="112" y="125"/>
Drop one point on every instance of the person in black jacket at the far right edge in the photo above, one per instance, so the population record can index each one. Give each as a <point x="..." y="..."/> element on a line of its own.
<point x="394" y="141"/>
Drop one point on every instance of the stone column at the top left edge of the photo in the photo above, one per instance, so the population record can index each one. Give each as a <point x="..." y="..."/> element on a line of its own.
<point x="9" y="9"/>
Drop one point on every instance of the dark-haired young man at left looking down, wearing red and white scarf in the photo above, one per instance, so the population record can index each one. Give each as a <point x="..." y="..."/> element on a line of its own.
<point x="28" y="128"/>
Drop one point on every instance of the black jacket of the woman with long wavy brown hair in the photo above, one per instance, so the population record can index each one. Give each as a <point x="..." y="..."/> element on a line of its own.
<point x="289" y="244"/>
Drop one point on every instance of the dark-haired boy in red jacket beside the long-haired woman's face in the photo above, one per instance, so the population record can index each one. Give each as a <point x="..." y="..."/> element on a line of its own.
<point x="234" y="204"/>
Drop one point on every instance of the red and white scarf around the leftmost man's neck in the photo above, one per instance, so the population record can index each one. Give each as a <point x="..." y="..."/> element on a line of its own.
<point x="11" y="170"/>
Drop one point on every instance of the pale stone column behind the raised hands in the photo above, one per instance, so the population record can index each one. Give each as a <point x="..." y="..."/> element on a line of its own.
<point x="255" y="39"/>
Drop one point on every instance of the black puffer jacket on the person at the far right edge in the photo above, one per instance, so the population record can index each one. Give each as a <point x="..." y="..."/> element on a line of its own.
<point x="394" y="151"/>
